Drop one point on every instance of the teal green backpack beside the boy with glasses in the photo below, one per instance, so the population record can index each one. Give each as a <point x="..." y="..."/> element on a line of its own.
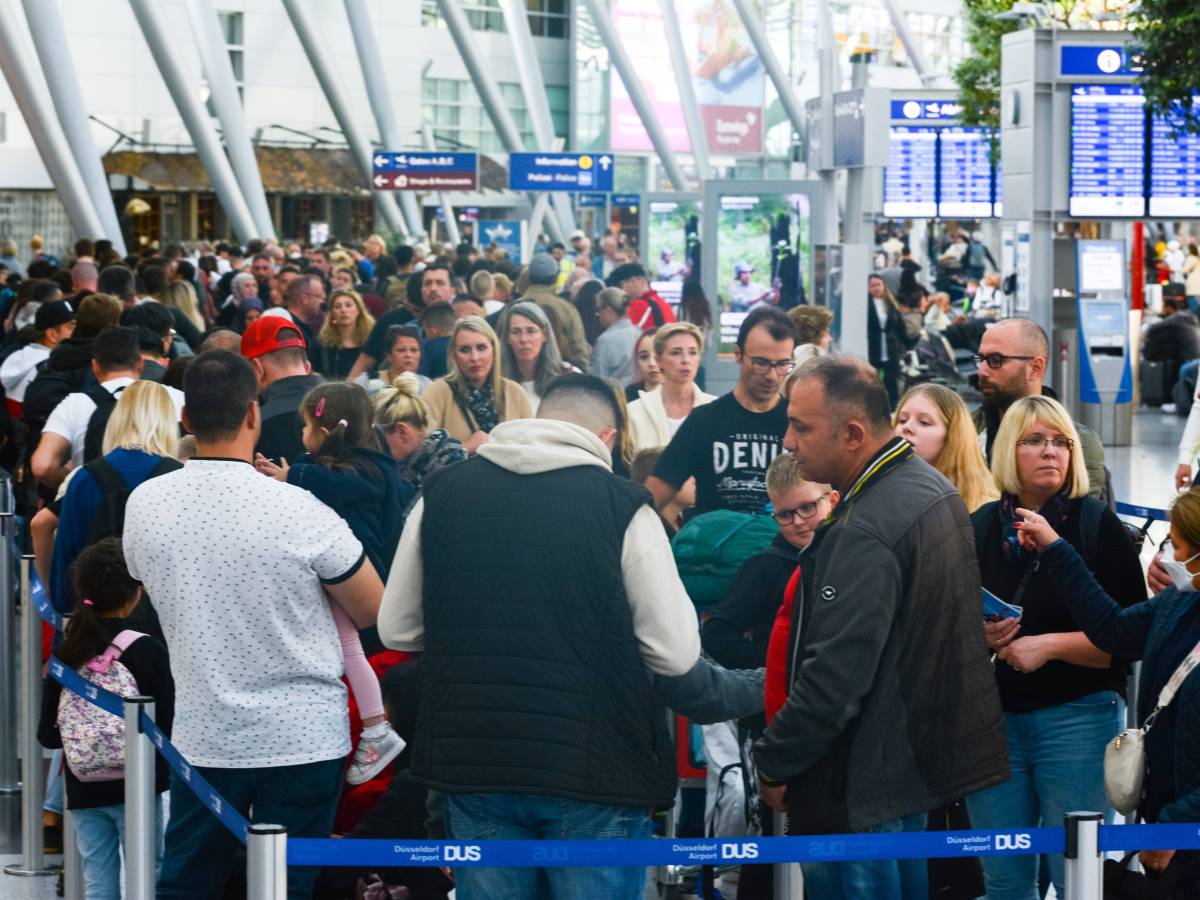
<point x="711" y="549"/>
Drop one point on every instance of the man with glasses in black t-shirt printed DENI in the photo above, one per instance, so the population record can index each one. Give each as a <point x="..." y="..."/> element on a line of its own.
<point x="728" y="445"/>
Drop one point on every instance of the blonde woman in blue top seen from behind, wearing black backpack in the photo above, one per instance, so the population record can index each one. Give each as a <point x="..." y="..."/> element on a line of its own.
<point x="140" y="443"/>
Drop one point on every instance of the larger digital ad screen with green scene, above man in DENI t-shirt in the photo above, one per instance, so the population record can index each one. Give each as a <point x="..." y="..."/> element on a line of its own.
<point x="764" y="256"/>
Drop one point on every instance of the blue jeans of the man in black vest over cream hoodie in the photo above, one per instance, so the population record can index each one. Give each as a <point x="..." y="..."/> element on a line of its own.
<point x="507" y="817"/>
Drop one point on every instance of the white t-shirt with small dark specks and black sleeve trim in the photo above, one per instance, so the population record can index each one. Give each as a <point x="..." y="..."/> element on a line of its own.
<point x="254" y="649"/>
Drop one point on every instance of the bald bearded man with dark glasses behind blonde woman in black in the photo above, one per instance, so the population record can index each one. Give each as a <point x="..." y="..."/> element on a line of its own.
<point x="1012" y="364"/>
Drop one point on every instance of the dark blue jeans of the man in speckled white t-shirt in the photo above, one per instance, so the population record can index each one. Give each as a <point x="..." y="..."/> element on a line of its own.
<point x="202" y="854"/>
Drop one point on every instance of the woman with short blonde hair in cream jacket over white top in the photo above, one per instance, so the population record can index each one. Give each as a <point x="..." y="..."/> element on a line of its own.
<point x="657" y="415"/>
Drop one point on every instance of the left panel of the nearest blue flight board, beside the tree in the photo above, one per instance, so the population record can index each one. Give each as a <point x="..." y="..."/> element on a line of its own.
<point x="1108" y="151"/>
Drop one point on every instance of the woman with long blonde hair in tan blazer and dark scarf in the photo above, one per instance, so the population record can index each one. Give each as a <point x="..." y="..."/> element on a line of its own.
<point x="475" y="397"/>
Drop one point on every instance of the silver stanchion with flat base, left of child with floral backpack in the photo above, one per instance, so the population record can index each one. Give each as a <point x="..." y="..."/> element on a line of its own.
<point x="32" y="859"/>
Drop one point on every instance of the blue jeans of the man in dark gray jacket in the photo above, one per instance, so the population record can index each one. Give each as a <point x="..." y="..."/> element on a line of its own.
<point x="872" y="880"/>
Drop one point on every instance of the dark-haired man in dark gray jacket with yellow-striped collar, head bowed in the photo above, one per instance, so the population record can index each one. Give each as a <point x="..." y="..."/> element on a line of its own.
<point x="892" y="707"/>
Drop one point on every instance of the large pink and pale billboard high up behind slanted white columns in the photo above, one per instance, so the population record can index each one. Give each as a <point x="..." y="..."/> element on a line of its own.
<point x="727" y="73"/>
